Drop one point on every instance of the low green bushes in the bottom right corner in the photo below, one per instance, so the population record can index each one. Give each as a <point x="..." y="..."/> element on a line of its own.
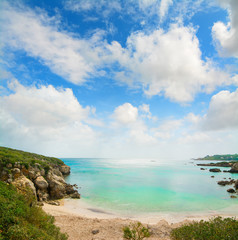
<point x="214" y="229"/>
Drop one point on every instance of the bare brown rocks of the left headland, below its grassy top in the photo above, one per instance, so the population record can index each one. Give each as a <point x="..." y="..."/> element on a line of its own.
<point x="42" y="182"/>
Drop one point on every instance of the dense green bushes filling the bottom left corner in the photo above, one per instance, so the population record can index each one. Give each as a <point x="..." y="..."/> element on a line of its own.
<point x="22" y="220"/>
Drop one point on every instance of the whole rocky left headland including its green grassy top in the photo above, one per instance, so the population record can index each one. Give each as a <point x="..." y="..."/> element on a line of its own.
<point x="38" y="175"/>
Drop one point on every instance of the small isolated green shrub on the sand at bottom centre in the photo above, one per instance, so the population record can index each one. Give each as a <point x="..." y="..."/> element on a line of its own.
<point x="136" y="232"/>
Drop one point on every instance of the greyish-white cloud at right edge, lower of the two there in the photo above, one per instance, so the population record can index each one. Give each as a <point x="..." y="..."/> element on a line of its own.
<point x="223" y="112"/>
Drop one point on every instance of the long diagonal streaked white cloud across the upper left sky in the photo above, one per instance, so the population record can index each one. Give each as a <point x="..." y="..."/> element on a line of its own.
<point x="71" y="58"/>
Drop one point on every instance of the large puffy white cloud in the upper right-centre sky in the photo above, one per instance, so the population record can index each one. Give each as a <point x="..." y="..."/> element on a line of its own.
<point x="167" y="63"/>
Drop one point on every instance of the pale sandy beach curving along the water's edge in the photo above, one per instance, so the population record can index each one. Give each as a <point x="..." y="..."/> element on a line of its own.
<point x="82" y="221"/>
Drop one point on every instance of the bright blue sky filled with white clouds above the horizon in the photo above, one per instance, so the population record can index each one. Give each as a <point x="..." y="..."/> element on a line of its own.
<point x="119" y="78"/>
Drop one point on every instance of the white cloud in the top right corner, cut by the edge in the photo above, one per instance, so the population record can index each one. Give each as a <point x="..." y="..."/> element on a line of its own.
<point x="226" y="35"/>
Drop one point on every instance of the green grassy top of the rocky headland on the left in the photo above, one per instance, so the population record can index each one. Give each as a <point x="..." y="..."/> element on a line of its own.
<point x="8" y="155"/>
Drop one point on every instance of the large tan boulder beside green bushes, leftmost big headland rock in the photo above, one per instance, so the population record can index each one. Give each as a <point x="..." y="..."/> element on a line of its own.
<point x="25" y="187"/>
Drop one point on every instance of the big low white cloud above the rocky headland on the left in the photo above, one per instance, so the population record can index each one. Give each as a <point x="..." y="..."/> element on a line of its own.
<point x="45" y="118"/>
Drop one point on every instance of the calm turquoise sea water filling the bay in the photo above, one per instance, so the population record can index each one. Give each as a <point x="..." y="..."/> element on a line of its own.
<point x="148" y="186"/>
